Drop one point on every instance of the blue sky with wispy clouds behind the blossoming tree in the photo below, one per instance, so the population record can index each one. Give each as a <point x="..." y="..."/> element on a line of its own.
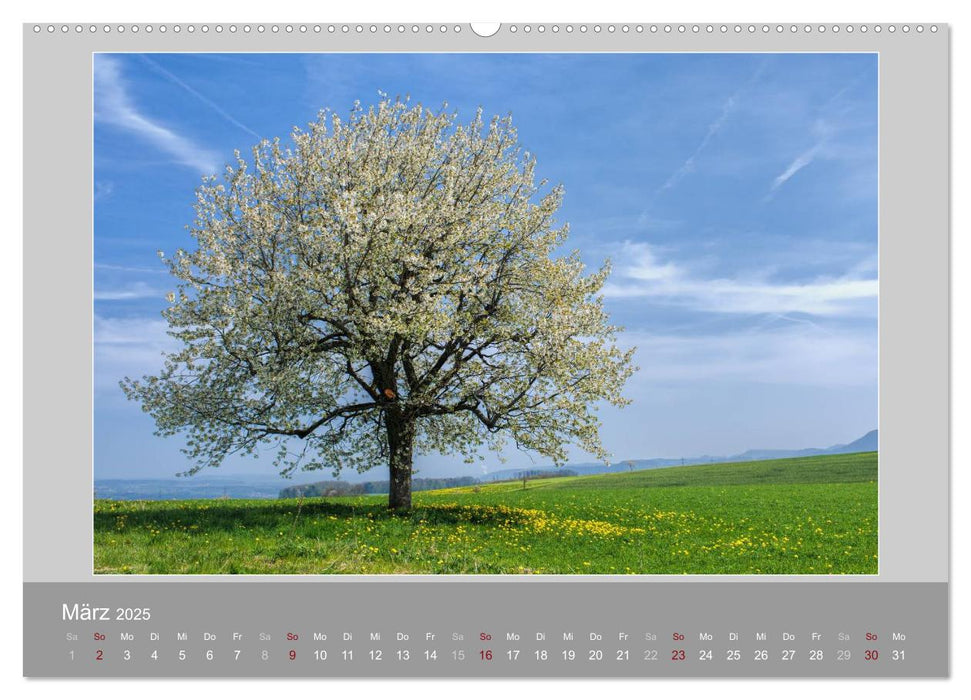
<point x="736" y="195"/>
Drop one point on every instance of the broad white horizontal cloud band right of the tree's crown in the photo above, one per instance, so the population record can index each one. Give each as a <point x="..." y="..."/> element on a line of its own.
<point x="644" y="275"/>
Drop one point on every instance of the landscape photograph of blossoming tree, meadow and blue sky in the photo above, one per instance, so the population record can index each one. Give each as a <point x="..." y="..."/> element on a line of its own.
<point x="502" y="314"/>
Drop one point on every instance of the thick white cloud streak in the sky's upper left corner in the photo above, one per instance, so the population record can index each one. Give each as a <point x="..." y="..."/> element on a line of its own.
<point x="114" y="106"/>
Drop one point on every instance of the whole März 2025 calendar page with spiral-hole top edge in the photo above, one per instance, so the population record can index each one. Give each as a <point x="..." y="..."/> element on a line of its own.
<point x="467" y="350"/>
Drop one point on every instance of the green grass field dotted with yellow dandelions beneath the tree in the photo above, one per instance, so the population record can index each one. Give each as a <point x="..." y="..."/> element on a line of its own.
<point x="812" y="515"/>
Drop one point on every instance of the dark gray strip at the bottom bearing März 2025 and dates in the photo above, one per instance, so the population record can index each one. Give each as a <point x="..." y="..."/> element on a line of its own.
<point x="911" y="617"/>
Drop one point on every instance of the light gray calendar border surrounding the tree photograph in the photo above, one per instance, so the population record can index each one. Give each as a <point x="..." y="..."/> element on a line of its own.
<point x="914" y="331"/>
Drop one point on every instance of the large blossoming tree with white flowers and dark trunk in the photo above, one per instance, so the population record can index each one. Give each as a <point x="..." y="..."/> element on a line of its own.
<point x="384" y="285"/>
